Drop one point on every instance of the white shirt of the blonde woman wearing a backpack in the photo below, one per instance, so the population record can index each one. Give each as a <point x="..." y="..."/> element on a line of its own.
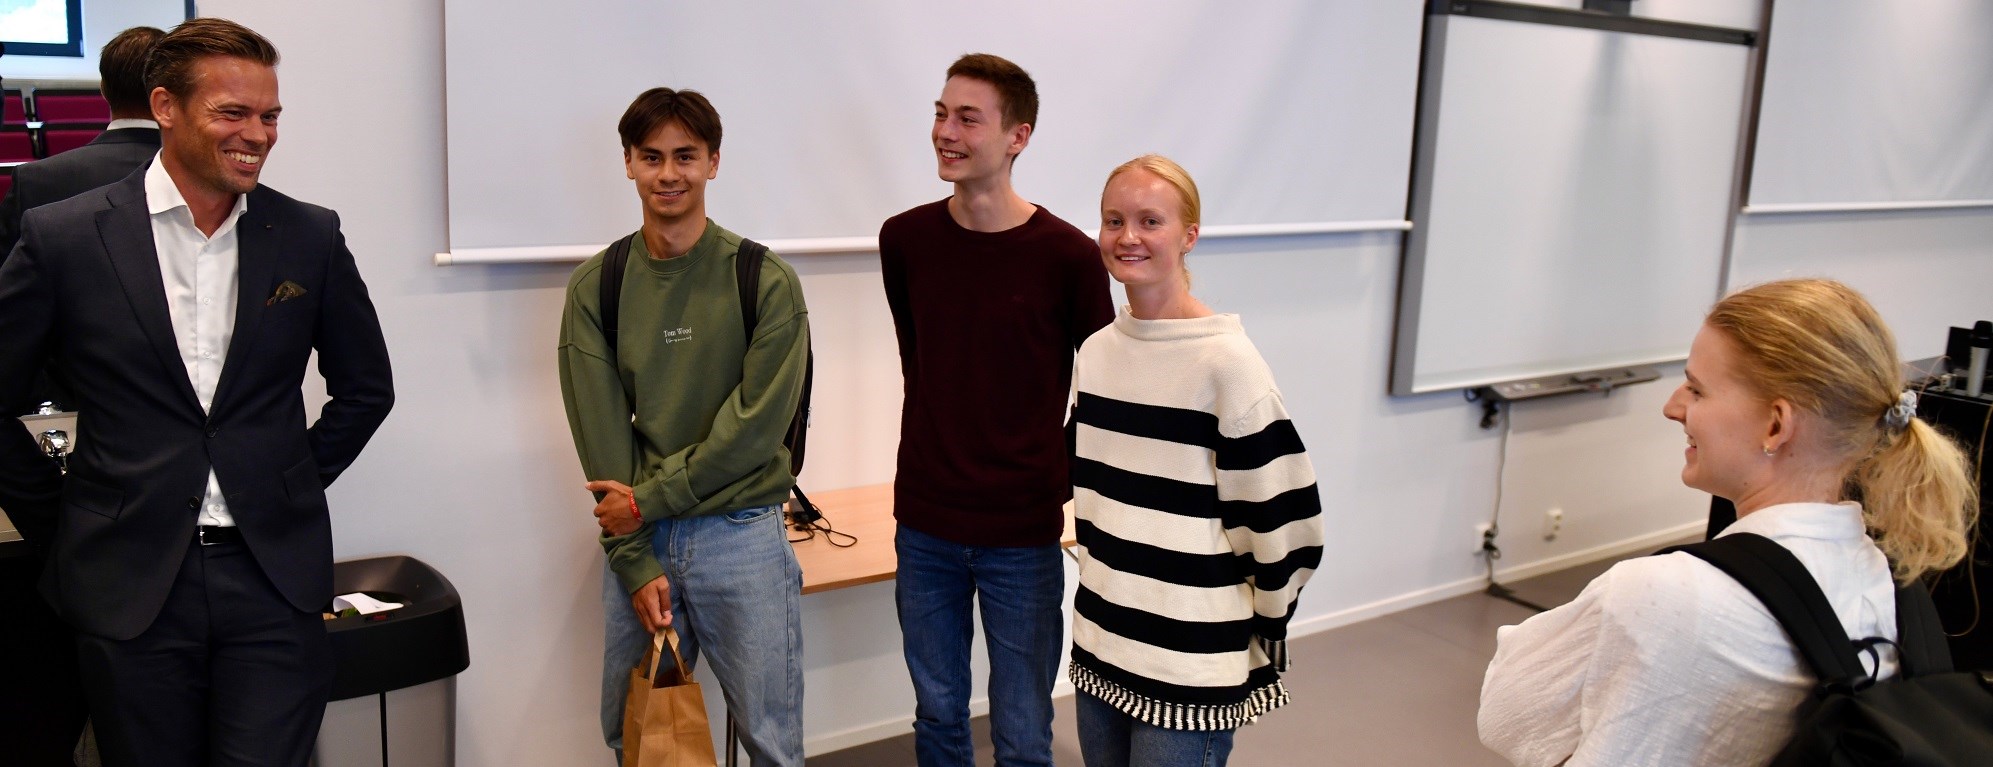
<point x="1667" y="660"/>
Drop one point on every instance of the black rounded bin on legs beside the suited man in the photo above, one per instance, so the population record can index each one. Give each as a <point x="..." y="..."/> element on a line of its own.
<point x="396" y="694"/>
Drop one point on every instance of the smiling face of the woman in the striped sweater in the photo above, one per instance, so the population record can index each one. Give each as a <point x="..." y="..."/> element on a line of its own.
<point x="1143" y="230"/>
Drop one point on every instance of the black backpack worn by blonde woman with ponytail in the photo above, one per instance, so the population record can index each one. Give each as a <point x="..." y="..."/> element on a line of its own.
<point x="1928" y="714"/>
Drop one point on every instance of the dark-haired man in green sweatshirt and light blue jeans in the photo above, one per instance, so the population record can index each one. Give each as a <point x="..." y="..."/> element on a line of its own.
<point x="681" y="427"/>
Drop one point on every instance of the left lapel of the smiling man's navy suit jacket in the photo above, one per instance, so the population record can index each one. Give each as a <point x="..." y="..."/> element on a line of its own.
<point x="127" y="232"/>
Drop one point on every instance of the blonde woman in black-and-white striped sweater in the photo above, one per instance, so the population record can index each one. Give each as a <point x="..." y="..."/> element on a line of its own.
<point x="1197" y="507"/>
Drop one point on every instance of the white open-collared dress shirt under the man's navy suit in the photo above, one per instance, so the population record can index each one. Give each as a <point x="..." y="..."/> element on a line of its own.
<point x="200" y="294"/>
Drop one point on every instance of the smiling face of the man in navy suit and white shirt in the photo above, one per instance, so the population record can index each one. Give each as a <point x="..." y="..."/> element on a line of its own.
<point x="220" y="134"/>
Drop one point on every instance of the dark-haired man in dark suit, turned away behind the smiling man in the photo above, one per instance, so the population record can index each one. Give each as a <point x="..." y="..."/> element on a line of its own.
<point x="125" y="146"/>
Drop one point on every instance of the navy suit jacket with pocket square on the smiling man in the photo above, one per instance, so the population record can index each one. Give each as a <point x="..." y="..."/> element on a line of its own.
<point x="85" y="294"/>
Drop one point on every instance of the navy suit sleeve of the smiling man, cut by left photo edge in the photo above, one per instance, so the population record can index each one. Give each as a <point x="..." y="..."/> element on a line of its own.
<point x="31" y="485"/>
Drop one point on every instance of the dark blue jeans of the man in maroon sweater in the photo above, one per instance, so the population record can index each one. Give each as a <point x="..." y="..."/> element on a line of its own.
<point x="1021" y="593"/>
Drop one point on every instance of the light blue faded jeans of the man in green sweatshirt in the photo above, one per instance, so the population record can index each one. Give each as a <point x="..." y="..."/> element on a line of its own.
<point x="736" y="601"/>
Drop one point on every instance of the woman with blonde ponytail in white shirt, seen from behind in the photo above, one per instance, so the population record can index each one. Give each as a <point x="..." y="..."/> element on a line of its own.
<point x="1795" y="411"/>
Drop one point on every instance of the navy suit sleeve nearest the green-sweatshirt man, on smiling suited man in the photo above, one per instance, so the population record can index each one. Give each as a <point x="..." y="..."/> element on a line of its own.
<point x="354" y="364"/>
